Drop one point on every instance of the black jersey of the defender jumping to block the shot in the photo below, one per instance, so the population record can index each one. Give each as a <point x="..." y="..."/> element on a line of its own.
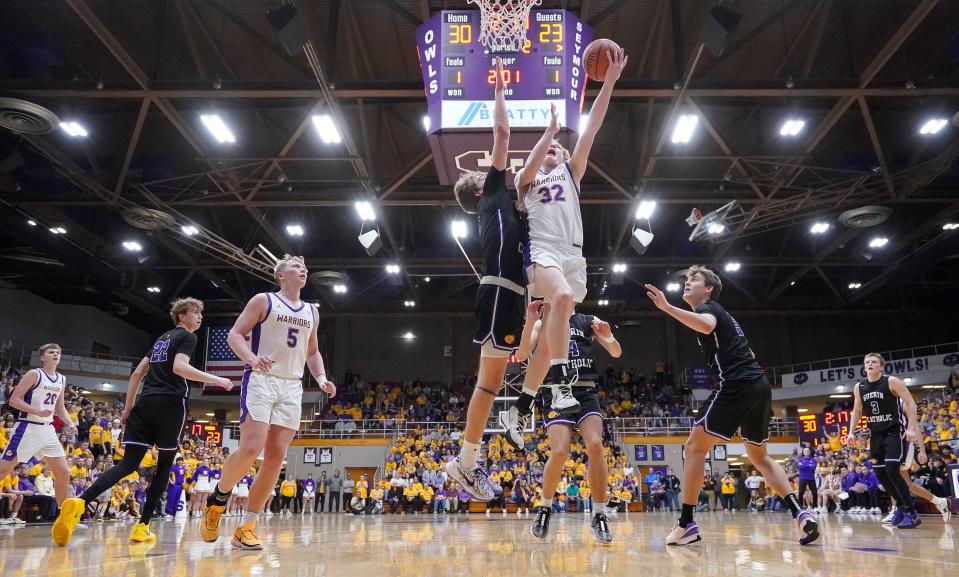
<point x="502" y="232"/>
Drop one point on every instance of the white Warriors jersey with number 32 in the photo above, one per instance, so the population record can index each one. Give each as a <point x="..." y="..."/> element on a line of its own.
<point x="552" y="205"/>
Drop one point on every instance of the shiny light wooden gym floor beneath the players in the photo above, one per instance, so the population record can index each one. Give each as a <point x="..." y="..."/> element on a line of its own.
<point x="739" y="544"/>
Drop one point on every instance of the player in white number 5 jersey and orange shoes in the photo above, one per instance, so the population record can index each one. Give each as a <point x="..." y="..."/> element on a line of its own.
<point x="282" y="331"/>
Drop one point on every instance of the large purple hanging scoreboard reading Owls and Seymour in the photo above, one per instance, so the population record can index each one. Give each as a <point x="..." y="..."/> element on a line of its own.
<point x="459" y="78"/>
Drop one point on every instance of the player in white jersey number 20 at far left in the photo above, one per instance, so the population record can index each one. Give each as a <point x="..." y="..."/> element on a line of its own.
<point x="38" y="396"/>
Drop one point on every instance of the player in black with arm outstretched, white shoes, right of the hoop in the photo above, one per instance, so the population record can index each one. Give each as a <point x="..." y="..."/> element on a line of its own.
<point x="742" y="401"/>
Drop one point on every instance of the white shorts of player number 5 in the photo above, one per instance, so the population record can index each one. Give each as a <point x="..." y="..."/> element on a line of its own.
<point x="269" y="399"/>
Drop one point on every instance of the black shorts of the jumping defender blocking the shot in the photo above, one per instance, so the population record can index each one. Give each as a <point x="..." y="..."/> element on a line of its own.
<point x="500" y="313"/>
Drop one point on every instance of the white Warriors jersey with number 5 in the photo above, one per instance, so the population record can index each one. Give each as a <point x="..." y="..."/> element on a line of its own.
<point x="283" y="336"/>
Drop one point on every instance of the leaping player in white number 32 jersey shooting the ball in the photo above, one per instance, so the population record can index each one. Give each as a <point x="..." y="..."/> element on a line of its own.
<point x="549" y="187"/>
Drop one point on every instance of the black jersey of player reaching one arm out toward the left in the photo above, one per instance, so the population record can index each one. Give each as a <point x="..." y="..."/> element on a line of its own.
<point x="726" y="349"/>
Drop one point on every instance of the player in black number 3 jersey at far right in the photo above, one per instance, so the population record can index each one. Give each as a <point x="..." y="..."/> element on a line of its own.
<point x="893" y="431"/>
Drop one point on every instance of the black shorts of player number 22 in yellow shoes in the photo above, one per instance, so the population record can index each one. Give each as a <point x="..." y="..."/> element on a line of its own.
<point x="156" y="420"/>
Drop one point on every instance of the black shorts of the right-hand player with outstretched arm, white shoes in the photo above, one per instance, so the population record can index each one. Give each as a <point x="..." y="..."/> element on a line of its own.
<point x="745" y="406"/>
